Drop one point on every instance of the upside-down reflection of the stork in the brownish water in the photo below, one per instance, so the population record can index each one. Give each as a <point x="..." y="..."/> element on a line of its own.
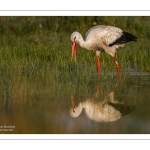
<point x="107" y="109"/>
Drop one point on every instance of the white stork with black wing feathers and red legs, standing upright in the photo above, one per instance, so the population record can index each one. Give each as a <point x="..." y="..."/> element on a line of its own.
<point x="101" y="38"/>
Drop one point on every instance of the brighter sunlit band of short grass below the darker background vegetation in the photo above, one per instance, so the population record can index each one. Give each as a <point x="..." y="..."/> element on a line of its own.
<point x="54" y="57"/>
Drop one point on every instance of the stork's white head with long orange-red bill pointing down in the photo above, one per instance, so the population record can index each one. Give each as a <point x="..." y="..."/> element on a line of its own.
<point x="75" y="36"/>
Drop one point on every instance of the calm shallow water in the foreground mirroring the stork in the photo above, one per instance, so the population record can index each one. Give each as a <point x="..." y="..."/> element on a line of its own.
<point x="99" y="105"/>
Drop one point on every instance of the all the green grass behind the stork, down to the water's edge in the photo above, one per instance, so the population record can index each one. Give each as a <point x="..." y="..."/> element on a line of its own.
<point x="32" y="47"/>
